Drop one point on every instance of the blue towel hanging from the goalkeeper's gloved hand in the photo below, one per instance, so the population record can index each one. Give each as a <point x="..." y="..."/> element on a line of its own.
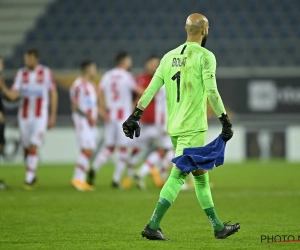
<point x="202" y="157"/>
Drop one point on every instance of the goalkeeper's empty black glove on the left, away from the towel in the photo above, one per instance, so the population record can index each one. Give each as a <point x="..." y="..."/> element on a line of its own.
<point x="132" y="125"/>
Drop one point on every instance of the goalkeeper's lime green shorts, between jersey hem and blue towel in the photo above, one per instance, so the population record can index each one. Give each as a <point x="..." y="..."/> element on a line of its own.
<point x="191" y="140"/>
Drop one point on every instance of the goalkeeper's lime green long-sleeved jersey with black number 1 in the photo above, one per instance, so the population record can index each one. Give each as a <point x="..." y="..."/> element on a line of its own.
<point x="188" y="73"/>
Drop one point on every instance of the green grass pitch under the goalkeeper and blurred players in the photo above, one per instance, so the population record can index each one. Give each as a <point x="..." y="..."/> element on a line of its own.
<point x="264" y="198"/>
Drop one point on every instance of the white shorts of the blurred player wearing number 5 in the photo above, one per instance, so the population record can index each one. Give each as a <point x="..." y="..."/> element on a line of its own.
<point x="114" y="135"/>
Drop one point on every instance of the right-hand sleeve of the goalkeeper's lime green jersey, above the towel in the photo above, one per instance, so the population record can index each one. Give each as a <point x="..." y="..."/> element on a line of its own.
<point x="209" y="79"/>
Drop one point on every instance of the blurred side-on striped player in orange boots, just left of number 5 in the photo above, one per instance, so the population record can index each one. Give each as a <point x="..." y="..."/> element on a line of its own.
<point x="83" y="96"/>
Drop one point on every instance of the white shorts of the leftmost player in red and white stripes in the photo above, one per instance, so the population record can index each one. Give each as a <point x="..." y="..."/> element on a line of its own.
<point x="32" y="131"/>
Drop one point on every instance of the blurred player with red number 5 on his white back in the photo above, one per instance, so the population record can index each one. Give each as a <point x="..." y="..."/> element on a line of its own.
<point x="116" y="88"/>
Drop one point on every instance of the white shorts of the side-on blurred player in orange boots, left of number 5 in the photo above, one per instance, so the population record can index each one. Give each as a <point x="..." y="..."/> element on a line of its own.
<point x="86" y="135"/>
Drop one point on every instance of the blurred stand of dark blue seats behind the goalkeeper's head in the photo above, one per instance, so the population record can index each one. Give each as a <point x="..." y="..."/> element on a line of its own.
<point x="242" y="33"/>
